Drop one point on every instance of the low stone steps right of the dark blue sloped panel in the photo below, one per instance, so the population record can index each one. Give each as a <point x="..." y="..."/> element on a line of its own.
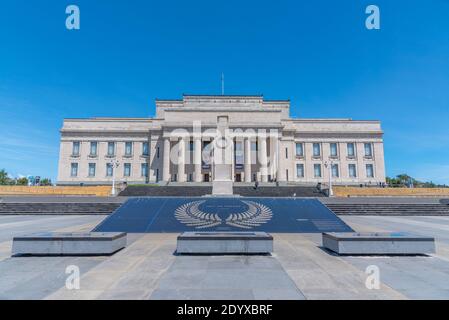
<point x="390" y="209"/>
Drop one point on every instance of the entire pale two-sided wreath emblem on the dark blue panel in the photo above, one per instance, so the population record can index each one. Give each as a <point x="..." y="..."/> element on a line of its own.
<point x="256" y="215"/>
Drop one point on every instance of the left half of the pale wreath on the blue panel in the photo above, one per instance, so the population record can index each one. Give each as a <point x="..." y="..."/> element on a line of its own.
<point x="191" y="215"/>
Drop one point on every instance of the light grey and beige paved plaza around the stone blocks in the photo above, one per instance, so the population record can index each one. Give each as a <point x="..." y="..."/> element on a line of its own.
<point x="299" y="268"/>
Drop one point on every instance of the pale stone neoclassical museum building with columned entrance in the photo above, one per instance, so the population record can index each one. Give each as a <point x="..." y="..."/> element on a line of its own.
<point x="176" y="145"/>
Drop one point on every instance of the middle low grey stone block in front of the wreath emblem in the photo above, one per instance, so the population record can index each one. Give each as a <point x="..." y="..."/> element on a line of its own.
<point x="225" y="243"/>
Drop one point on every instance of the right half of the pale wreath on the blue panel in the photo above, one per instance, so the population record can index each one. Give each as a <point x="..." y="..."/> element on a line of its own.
<point x="256" y="215"/>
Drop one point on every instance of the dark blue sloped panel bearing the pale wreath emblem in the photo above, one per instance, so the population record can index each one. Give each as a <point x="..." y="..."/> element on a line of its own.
<point x="281" y="215"/>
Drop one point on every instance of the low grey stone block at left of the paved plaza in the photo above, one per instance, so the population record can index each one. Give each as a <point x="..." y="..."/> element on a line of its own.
<point x="60" y="244"/>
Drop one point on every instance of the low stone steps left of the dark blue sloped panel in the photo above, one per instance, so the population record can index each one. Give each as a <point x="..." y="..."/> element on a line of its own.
<point x="100" y="208"/>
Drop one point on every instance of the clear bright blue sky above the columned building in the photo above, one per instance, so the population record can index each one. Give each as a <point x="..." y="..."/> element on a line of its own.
<point x="316" y="53"/>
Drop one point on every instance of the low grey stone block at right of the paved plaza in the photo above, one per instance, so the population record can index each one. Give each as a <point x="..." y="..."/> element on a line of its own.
<point x="395" y="243"/>
